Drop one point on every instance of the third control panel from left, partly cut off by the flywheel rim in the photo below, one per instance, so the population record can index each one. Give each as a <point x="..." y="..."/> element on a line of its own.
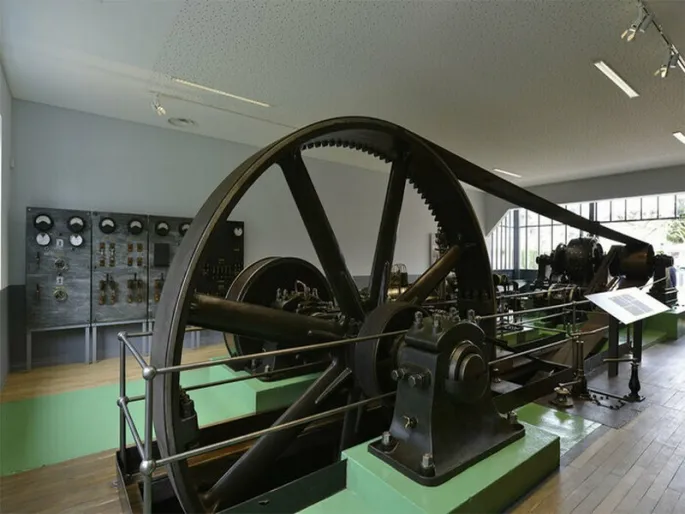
<point x="165" y="236"/>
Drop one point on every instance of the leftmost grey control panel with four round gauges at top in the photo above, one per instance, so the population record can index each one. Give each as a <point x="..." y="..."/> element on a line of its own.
<point x="58" y="247"/>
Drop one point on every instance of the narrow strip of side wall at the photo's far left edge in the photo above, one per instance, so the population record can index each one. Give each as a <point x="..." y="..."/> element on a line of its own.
<point x="6" y="113"/>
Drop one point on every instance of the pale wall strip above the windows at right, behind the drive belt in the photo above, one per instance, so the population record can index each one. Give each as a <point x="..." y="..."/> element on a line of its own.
<point x="624" y="185"/>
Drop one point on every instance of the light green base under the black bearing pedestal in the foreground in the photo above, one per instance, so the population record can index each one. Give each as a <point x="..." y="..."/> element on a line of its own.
<point x="491" y="485"/>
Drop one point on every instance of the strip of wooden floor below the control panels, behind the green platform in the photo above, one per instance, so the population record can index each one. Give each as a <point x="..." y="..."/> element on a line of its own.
<point x="60" y="379"/>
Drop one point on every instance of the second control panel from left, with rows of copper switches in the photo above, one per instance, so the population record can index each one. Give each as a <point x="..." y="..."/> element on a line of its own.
<point x="119" y="290"/>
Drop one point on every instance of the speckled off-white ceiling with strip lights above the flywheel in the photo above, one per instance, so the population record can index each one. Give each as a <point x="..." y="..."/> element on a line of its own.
<point x="504" y="84"/>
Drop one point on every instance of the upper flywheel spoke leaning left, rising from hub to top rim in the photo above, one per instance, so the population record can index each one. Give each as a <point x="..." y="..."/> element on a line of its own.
<point x="321" y="234"/>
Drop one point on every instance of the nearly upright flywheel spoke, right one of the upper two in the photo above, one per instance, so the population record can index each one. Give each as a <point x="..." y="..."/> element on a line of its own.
<point x="387" y="232"/>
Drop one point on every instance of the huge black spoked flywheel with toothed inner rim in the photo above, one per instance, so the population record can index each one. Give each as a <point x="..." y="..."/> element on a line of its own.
<point x="362" y="366"/>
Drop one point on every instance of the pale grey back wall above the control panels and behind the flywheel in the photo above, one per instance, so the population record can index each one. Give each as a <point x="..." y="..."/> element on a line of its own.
<point x="68" y="159"/>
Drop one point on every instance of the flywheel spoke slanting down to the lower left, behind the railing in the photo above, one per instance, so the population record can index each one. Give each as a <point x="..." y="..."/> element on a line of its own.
<point x="269" y="447"/>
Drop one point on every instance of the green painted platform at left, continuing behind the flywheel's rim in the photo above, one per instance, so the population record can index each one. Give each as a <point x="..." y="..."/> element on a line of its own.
<point x="54" y="428"/>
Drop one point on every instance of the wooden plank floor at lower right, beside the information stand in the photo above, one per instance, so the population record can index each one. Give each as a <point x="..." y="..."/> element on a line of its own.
<point x="639" y="468"/>
